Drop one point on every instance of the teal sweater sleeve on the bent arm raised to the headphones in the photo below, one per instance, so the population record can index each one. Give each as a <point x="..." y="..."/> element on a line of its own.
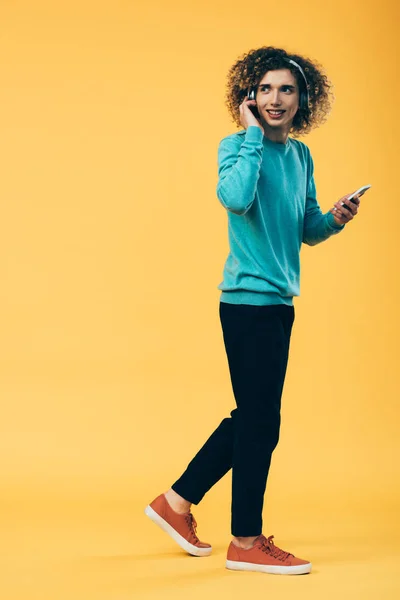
<point x="239" y="170"/>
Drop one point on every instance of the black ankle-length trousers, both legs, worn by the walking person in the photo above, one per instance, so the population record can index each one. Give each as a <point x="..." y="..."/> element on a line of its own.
<point x="257" y="346"/>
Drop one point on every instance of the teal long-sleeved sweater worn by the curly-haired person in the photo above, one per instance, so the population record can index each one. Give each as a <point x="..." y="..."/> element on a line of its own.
<point x="269" y="192"/>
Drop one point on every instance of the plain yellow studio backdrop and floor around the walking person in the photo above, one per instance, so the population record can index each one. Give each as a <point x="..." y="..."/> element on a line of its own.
<point x="112" y="365"/>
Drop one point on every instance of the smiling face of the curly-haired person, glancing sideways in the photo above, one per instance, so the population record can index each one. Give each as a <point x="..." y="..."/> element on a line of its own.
<point x="278" y="90"/>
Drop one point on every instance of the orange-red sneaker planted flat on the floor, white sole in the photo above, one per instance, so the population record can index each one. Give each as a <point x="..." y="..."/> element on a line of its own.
<point x="264" y="556"/>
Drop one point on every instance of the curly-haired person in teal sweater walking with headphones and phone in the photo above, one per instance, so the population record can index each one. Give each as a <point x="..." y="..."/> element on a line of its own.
<point x="266" y="184"/>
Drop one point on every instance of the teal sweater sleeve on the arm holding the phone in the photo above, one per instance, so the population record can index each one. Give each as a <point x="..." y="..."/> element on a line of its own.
<point x="317" y="226"/>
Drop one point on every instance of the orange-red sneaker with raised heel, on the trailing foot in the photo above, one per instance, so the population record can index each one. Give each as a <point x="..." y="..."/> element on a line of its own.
<point x="181" y="527"/>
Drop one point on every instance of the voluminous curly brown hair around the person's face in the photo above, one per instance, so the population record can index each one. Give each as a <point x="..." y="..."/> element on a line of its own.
<point x="250" y="68"/>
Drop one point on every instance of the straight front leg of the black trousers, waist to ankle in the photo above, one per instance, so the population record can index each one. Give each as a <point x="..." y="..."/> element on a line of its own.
<point x="257" y="345"/>
